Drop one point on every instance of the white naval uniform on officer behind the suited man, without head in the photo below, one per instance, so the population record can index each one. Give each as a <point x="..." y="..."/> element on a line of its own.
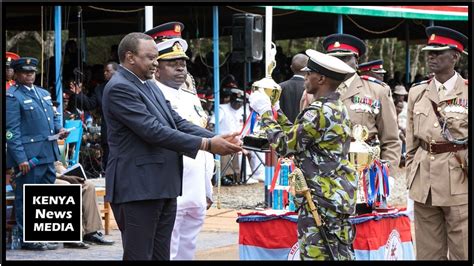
<point x="197" y="175"/>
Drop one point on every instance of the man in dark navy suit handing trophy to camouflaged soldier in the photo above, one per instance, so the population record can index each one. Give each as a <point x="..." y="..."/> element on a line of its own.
<point x="147" y="141"/>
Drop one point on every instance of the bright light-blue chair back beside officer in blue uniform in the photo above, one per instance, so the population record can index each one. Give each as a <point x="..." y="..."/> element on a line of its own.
<point x="73" y="141"/>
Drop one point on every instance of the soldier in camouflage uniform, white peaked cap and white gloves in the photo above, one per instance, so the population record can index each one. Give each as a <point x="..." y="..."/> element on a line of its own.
<point x="319" y="141"/>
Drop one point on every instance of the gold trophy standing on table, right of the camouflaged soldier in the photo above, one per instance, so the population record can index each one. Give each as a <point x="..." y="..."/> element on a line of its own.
<point x="361" y="155"/>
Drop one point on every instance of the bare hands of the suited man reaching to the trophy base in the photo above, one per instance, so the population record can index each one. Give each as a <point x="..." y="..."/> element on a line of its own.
<point x="222" y="144"/>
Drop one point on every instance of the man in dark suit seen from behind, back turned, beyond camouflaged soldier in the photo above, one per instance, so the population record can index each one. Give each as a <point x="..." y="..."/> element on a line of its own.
<point x="292" y="89"/>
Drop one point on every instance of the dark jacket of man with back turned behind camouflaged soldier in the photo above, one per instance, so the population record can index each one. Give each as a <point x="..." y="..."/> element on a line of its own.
<point x="292" y="90"/>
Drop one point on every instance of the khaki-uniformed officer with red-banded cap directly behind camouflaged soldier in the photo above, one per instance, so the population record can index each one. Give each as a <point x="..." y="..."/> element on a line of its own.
<point x="368" y="101"/>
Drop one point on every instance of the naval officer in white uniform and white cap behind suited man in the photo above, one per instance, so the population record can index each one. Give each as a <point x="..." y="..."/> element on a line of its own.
<point x="197" y="173"/>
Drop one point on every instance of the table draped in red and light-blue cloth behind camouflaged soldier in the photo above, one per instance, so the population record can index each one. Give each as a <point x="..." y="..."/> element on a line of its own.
<point x="272" y="235"/>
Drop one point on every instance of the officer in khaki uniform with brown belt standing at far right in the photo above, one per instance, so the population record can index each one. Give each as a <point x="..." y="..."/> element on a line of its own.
<point x="436" y="157"/>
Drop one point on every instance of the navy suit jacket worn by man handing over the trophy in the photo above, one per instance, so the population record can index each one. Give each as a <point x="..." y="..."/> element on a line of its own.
<point x="147" y="141"/>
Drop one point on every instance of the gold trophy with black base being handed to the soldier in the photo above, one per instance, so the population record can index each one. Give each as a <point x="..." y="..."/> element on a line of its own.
<point x="257" y="141"/>
